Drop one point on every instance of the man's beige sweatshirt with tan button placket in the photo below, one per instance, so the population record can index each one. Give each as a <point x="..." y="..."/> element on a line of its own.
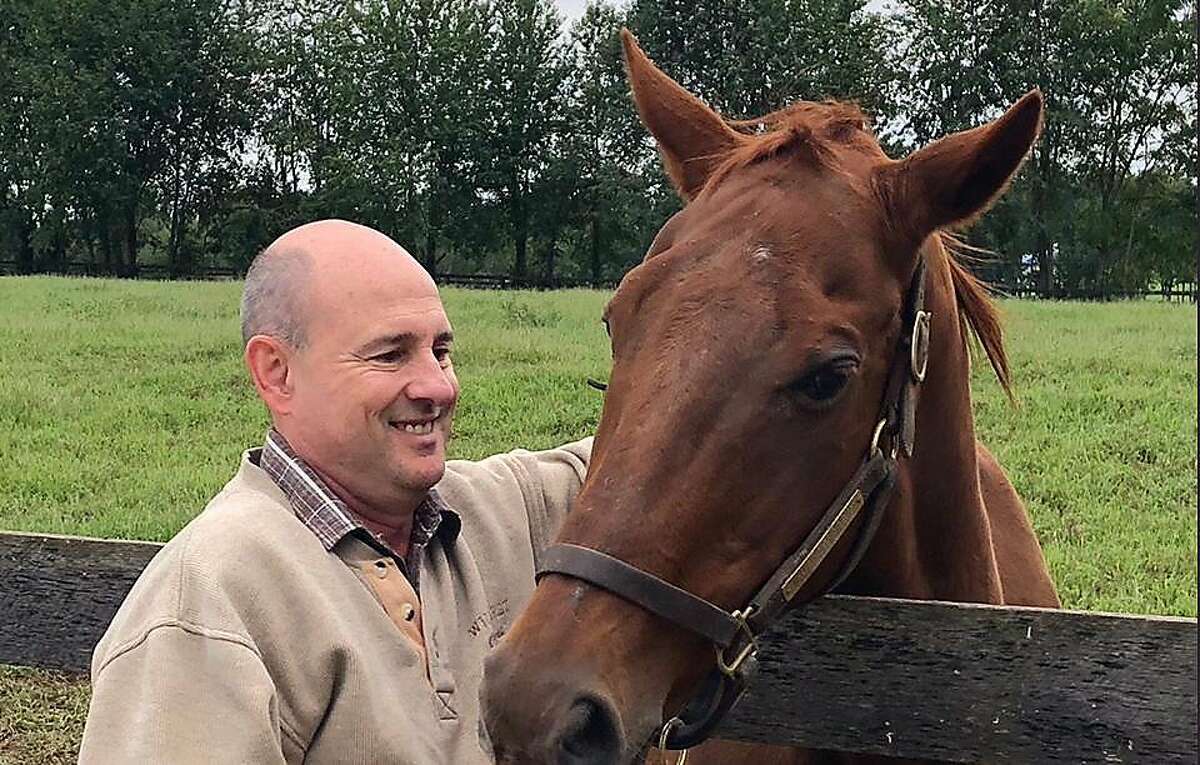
<point x="245" y="642"/>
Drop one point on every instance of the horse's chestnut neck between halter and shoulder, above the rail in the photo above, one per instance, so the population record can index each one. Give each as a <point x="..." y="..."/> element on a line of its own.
<point x="934" y="540"/>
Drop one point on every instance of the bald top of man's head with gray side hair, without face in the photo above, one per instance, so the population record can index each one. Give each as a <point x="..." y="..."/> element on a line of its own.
<point x="315" y="263"/>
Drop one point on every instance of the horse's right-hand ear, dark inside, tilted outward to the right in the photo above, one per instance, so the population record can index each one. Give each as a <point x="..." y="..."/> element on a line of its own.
<point x="955" y="180"/>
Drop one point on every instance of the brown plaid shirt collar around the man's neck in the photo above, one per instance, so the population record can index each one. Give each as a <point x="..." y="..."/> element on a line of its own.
<point x="331" y="520"/>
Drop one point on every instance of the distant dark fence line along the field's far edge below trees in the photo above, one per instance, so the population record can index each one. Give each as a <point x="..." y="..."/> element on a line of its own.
<point x="155" y="272"/>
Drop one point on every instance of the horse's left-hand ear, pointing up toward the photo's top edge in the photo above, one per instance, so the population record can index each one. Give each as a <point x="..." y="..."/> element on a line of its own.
<point x="692" y="137"/>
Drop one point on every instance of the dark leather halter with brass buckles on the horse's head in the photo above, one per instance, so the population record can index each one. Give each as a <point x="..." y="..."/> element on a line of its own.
<point x="735" y="635"/>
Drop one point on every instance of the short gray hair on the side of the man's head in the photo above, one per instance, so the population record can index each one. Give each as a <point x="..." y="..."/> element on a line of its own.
<point x="272" y="300"/>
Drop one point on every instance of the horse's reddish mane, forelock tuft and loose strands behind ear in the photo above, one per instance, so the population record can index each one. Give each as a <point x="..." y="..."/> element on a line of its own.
<point x="811" y="131"/>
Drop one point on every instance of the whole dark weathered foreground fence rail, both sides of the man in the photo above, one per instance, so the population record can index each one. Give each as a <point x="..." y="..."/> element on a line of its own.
<point x="949" y="682"/>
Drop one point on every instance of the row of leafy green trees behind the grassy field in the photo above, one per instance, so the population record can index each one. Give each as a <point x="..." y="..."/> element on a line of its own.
<point x="490" y="136"/>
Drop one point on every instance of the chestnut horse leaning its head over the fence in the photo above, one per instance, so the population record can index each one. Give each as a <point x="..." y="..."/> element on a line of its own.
<point x="752" y="352"/>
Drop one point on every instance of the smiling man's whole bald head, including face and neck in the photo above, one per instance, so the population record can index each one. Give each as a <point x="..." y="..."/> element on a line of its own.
<point x="350" y="347"/>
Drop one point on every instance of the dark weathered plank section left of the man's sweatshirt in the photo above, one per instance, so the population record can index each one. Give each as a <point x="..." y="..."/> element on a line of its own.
<point x="58" y="594"/>
